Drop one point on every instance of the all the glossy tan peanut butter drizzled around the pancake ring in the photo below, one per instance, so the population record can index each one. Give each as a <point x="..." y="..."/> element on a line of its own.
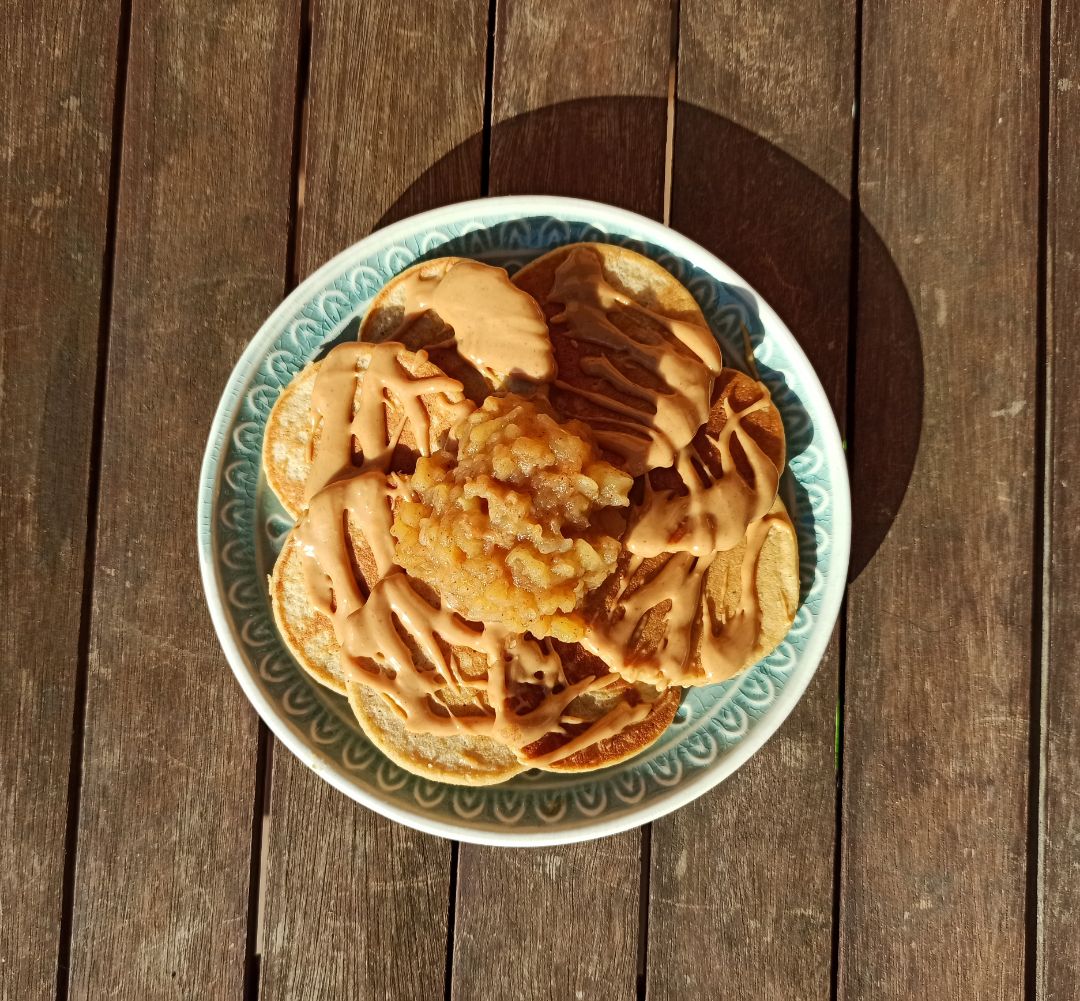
<point x="414" y="651"/>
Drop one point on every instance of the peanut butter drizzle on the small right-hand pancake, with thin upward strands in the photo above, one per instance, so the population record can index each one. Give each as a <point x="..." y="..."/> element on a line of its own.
<point x="709" y="515"/>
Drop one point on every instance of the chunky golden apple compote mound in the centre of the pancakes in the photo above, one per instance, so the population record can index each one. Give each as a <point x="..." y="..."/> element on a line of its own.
<point x="519" y="524"/>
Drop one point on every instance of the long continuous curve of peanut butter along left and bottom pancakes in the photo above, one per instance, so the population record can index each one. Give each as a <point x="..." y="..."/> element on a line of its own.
<point x="383" y="629"/>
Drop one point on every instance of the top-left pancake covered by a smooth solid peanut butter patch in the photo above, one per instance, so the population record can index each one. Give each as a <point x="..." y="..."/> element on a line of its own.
<point x="515" y="356"/>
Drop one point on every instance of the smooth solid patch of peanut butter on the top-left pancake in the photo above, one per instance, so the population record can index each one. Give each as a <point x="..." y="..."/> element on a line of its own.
<point x="497" y="328"/>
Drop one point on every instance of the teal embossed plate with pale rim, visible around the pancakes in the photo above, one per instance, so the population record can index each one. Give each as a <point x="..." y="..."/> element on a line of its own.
<point x="241" y="527"/>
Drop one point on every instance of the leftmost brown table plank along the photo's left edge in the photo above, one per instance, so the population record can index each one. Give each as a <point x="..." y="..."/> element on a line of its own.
<point x="56" y="145"/>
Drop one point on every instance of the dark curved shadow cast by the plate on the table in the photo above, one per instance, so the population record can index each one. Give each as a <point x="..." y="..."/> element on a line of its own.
<point x="782" y="227"/>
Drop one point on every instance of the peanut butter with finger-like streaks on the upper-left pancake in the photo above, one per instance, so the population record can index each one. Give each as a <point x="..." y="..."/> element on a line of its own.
<point x="346" y="424"/>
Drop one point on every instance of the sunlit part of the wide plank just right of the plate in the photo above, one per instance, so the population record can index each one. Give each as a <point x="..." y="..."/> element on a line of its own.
<point x="940" y="643"/>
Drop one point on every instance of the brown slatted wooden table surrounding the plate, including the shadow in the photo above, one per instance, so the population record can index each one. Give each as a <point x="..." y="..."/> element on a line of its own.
<point x="899" y="180"/>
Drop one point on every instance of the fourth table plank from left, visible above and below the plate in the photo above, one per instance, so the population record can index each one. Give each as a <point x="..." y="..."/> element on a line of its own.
<point x="556" y="131"/>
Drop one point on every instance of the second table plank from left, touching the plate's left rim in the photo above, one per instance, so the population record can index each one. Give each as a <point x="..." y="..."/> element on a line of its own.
<point x="166" y="827"/>
